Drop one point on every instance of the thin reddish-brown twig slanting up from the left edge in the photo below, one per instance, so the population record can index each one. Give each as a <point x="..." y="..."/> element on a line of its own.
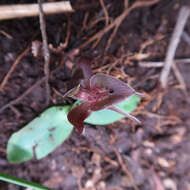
<point x="6" y="78"/>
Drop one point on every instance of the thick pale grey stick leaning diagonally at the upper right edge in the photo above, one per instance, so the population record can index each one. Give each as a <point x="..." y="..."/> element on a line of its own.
<point x="181" y="21"/>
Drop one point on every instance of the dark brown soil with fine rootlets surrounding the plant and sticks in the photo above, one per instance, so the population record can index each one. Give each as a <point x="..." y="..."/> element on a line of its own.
<point x="152" y="156"/>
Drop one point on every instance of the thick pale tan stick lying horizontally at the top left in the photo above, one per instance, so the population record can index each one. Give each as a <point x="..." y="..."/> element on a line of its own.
<point x="30" y="10"/>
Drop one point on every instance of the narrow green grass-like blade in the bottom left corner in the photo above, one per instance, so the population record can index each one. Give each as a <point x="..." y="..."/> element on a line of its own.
<point x="21" y="182"/>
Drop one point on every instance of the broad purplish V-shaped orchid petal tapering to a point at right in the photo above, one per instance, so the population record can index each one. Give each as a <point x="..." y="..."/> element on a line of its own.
<point x="119" y="90"/>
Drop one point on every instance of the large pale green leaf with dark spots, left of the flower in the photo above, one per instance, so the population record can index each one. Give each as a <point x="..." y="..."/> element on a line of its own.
<point x="41" y="136"/>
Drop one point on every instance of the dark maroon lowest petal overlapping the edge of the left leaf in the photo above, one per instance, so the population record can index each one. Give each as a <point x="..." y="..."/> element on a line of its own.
<point x="78" y="114"/>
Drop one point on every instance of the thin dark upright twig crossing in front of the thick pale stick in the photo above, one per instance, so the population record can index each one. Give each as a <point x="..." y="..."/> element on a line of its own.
<point x="45" y="50"/>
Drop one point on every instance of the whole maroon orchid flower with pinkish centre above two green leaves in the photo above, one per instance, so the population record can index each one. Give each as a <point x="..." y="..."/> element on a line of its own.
<point x="97" y="92"/>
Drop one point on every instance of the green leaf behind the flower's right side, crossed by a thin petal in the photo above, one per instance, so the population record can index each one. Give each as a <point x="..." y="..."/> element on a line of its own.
<point x="105" y="117"/>
